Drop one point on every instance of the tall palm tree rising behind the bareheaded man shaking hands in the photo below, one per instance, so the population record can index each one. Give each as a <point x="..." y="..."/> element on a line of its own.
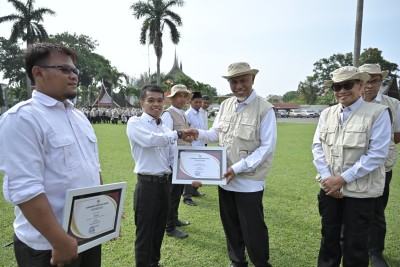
<point x="157" y="14"/>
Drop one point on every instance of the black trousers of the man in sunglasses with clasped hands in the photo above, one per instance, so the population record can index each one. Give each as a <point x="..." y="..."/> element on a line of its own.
<point x="344" y="230"/>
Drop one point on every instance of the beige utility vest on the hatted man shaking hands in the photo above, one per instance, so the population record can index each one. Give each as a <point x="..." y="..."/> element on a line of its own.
<point x="240" y="134"/>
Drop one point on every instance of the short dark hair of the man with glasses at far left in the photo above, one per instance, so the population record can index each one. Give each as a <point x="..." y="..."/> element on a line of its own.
<point x="38" y="52"/>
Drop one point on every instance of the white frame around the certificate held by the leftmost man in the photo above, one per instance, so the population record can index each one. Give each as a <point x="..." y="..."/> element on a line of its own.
<point x="116" y="191"/>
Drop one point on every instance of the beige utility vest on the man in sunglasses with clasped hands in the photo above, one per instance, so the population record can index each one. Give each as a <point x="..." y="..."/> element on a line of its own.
<point x="343" y="145"/>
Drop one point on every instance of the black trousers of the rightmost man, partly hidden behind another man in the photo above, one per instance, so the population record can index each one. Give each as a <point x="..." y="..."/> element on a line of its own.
<point x="377" y="229"/>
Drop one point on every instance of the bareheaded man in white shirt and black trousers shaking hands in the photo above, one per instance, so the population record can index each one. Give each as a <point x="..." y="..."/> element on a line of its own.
<point x="152" y="146"/>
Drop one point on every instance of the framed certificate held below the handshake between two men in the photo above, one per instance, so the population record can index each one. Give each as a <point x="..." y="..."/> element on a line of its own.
<point x="199" y="163"/>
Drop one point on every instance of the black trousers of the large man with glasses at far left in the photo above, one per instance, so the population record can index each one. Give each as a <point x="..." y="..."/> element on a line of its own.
<point x="29" y="257"/>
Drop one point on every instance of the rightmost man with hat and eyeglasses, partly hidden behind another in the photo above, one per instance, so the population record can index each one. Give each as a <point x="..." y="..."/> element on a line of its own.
<point x="370" y="93"/>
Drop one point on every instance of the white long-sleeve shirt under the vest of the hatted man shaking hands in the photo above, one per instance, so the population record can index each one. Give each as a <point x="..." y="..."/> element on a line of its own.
<point x="268" y="137"/>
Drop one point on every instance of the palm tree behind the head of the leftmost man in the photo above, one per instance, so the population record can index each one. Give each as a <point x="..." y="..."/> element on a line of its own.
<point x="27" y="25"/>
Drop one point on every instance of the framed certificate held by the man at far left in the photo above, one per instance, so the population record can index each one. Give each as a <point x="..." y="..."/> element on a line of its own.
<point x="93" y="214"/>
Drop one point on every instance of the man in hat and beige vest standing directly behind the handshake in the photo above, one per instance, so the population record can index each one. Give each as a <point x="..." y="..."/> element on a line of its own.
<point x="174" y="118"/>
